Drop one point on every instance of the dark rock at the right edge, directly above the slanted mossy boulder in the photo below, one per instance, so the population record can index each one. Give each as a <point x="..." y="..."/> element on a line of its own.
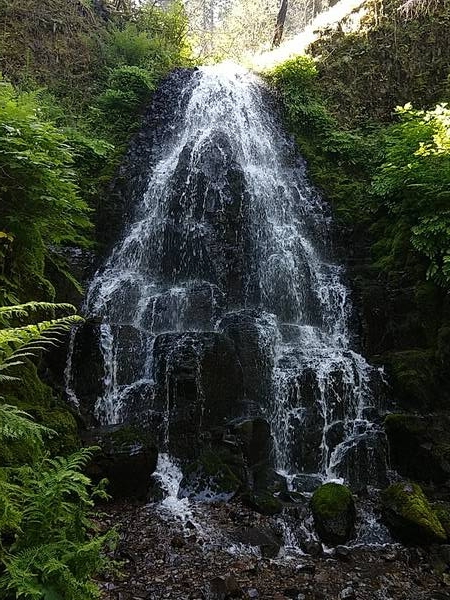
<point x="420" y="446"/>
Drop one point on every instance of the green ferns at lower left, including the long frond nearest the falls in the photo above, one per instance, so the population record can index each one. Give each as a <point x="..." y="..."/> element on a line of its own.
<point x="49" y="547"/>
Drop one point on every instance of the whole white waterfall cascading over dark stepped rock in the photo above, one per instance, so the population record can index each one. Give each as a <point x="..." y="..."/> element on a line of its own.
<point x="221" y="301"/>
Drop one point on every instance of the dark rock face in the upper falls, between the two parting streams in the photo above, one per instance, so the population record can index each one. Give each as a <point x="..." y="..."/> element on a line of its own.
<point x="217" y="251"/>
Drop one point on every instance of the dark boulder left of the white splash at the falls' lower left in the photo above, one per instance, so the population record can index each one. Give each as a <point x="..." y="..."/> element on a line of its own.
<point x="127" y="458"/>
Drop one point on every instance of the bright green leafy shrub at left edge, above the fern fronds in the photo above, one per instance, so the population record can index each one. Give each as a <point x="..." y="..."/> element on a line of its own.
<point x="41" y="205"/>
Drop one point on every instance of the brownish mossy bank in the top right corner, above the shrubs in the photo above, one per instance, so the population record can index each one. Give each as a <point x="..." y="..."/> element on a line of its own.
<point x="390" y="60"/>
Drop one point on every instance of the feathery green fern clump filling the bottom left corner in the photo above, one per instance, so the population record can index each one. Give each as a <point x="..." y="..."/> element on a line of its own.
<point x="54" y="553"/>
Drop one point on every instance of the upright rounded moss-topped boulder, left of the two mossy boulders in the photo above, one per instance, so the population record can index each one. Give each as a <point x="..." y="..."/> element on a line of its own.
<point x="334" y="513"/>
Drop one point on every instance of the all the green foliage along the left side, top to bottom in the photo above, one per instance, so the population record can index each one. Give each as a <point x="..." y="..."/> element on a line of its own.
<point x="74" y="85"/>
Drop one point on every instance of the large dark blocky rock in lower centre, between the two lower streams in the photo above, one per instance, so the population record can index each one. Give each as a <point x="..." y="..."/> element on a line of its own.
<point x="199" y="380"/>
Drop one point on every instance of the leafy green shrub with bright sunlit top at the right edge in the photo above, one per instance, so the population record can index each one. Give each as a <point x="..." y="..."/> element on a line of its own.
<point x="414" y="182"/>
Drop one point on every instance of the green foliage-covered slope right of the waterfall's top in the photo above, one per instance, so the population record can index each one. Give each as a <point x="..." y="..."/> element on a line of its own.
<point x="372" y="159"/>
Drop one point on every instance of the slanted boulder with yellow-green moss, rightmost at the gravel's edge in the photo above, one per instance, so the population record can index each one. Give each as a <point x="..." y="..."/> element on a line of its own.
<point x="409" y="515"/>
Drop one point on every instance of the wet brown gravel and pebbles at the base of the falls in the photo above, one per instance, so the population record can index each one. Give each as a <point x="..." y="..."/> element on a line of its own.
<point x="161" y="558"/>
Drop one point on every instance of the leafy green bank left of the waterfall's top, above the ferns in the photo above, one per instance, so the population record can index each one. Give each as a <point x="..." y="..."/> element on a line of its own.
<point x="67" y="112"/>
